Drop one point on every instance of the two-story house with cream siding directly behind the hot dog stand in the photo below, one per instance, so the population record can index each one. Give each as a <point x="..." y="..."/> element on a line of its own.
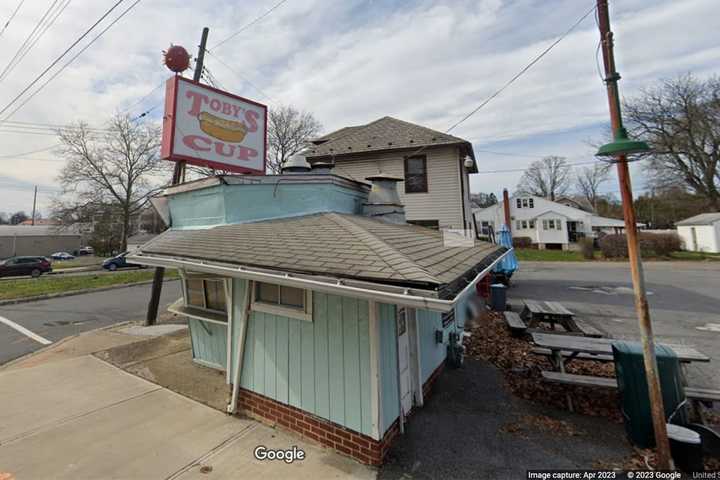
<point x="436" y="167"/>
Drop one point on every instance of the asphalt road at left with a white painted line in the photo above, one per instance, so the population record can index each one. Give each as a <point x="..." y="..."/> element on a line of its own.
<point x="35" y="323"/>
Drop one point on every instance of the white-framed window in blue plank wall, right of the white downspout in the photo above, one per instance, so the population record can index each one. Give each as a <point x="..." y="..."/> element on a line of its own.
<point x="281" y="300"/>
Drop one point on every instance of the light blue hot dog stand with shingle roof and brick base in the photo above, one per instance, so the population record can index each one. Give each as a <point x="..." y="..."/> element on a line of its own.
<point x="327" y="312"/>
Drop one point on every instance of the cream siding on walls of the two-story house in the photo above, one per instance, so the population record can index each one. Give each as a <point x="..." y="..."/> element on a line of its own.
<point x="442" y="202"/>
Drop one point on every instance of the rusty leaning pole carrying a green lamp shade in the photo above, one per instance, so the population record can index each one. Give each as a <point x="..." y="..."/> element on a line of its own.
<point x="641" y="304"/>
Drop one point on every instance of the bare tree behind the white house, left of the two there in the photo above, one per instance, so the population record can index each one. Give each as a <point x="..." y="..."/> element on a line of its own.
<point x="549" y="178"/>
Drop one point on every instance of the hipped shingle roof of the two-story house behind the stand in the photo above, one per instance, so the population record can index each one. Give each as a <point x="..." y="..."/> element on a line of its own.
<point x="386" y="133"/>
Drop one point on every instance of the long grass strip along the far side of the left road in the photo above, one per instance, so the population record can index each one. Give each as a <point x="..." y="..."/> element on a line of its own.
<point x="32" y="287"/>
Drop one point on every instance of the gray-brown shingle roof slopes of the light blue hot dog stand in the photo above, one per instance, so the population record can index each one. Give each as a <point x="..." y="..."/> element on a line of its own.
<point x="333" y="244"/>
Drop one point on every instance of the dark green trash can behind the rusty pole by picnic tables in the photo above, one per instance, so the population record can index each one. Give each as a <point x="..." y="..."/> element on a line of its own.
<point x="634" y="397"/>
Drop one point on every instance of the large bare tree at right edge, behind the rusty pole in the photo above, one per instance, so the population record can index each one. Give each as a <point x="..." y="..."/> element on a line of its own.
<point x="680" y="119"/>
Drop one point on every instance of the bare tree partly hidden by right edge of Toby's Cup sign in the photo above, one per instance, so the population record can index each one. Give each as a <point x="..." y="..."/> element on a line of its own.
<point x="288" y="132"/>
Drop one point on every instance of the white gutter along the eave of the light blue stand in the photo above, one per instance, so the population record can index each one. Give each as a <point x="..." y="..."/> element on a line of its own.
<point x="332" y="286"/>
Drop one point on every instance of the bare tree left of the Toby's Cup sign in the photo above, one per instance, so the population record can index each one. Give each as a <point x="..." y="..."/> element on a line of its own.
<point x="113" y="169"/>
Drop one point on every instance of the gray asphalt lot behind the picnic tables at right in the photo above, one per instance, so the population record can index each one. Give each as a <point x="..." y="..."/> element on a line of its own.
<point x="684" y="300"/>
